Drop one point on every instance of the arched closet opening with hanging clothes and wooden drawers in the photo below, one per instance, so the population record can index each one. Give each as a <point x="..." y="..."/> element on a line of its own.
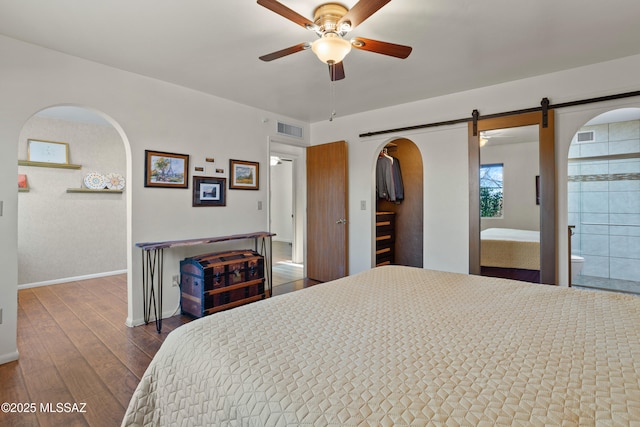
<point x="399" y="218"/>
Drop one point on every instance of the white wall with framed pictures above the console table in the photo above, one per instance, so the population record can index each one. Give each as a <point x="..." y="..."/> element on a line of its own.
<point x="148" y="114"/>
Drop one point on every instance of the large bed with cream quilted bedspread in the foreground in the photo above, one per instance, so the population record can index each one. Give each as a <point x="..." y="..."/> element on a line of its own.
<point x="402" y="346"/>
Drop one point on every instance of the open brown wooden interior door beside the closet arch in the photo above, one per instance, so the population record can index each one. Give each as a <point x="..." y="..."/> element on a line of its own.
<point x="327" y="211"/>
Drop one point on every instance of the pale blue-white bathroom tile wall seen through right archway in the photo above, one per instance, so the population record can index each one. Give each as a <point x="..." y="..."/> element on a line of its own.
<point x="604" y="201"/>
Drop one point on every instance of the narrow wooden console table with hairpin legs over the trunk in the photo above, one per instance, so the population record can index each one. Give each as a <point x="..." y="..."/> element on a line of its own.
<point x="153" y="266"/>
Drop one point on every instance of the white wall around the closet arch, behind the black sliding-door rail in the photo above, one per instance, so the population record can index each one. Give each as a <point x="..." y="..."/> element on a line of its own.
<point x="444" y="150"/>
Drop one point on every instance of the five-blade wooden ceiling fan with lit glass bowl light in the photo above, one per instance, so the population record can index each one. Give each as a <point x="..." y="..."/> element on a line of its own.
<point x="331" y="22"/>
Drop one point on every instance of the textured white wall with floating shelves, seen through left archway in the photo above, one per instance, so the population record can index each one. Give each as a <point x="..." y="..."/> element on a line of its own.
<point x="65" y="232"/>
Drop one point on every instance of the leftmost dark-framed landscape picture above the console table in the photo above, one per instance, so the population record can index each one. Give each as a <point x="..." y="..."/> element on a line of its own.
<point x="168" y="170"/>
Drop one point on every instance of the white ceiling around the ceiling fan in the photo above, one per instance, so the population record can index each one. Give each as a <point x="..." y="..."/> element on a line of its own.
<point x="213" y="45"/>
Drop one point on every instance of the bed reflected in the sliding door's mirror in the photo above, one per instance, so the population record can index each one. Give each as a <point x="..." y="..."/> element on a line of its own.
<point x="510" y="253"/>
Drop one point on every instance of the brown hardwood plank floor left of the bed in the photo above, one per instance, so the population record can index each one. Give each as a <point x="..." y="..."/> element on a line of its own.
<point x="75" y="349"/>
